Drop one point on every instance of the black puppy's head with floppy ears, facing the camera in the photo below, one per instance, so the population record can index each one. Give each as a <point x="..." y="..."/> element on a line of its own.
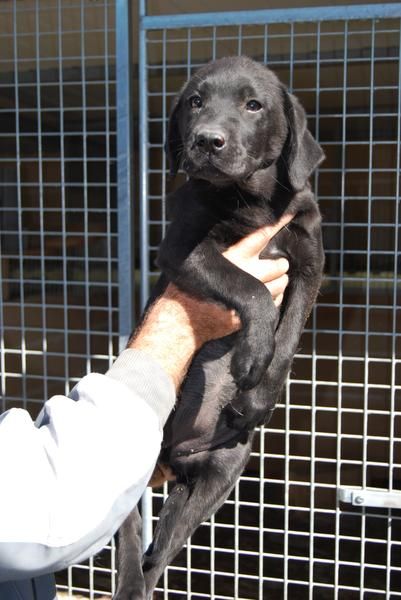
<point x="233" y="120"/>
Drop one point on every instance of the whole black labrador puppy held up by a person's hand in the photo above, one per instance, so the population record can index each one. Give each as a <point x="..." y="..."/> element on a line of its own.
<point x="243" y="140"/>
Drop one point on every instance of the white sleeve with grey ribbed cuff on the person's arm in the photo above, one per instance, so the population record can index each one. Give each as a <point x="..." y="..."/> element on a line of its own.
<point x="69" y="480"/>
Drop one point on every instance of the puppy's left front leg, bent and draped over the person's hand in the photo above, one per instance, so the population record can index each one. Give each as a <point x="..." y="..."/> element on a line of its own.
<point x="207" y="274"/>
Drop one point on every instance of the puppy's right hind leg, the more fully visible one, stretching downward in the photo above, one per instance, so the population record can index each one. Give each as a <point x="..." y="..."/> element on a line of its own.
<point x="189" y="504"/>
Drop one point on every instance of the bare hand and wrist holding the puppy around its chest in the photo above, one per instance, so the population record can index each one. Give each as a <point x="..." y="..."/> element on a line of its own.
<point x="177" y="325"/>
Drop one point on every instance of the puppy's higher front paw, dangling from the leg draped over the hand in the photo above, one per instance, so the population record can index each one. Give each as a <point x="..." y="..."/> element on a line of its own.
<point x="250" y="360"/>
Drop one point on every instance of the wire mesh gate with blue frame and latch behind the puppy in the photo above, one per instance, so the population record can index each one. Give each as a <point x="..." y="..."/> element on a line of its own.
<point x="312" y="516"/>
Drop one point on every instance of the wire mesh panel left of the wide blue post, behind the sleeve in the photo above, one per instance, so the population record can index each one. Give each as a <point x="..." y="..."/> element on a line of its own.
<point x="58" y="208"/>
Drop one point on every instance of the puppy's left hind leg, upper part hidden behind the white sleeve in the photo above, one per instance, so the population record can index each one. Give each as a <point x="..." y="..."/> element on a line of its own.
<point x="131" y="583"/>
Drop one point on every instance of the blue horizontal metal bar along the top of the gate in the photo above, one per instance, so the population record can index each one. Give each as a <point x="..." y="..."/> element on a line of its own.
<point x="285" y="15"/>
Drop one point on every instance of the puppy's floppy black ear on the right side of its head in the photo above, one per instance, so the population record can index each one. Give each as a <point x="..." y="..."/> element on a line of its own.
<point x="302" y="152"/>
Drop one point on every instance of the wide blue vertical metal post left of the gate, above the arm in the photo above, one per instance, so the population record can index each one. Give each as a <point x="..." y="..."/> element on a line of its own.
<point x="124" y="169"/>
